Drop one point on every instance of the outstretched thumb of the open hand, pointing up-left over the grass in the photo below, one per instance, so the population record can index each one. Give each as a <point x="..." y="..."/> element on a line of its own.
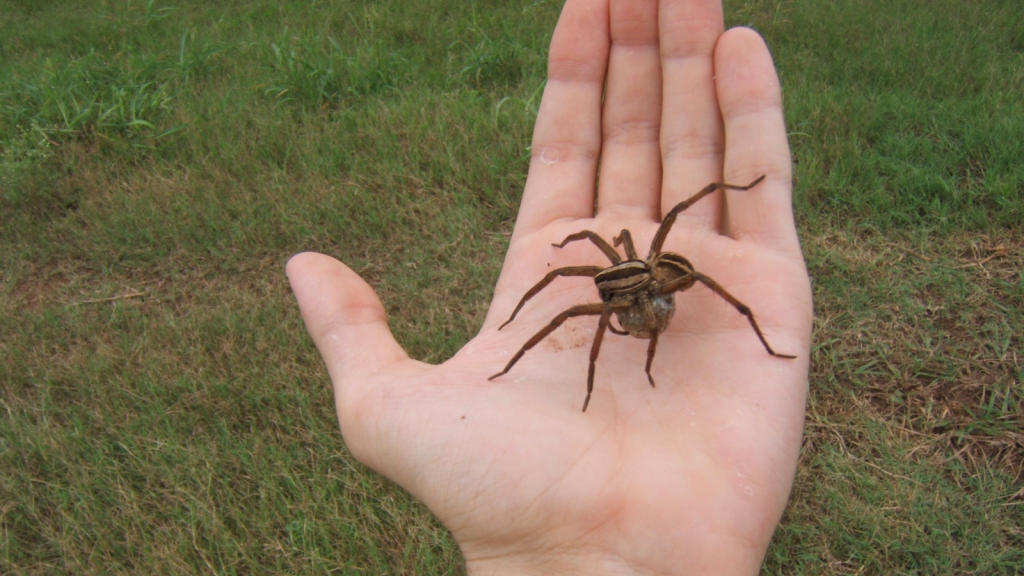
<point x="345" y="317"/>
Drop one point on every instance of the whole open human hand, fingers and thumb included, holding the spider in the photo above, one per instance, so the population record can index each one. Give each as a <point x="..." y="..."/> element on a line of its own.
<point x="691" y="477"/>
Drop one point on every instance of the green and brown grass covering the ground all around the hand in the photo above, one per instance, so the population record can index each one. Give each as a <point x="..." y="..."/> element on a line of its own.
<point x="165" y="412"/>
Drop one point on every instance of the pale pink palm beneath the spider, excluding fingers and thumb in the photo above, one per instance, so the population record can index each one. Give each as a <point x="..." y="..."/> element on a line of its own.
<point x="700" y="455"/>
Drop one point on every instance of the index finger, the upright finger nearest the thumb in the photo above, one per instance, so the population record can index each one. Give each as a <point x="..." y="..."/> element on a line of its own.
<point x="568" y="137"/>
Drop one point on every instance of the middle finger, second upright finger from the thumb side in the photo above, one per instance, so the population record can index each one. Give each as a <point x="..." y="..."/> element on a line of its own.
<point x="631" y="158"/>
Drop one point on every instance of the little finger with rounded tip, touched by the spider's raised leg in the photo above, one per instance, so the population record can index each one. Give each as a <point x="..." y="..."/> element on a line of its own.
<point x="756" y="142"/>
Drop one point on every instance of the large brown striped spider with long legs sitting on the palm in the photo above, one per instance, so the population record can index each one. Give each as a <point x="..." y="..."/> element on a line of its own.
<point x="641" y="294"/>
